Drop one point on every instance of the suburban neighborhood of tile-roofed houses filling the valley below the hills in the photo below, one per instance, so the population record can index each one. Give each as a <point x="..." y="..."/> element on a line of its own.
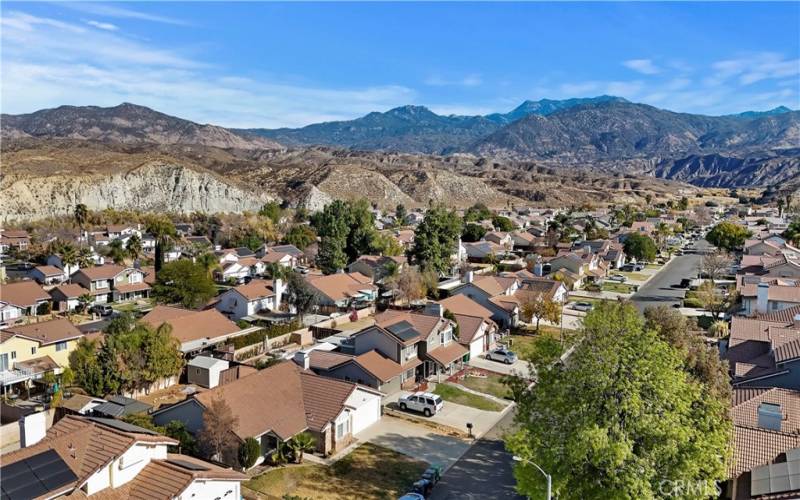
<point x="257" y="370"/>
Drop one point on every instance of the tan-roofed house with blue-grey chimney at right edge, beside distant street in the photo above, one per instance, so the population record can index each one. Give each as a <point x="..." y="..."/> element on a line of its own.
<point x="762" y="295"/>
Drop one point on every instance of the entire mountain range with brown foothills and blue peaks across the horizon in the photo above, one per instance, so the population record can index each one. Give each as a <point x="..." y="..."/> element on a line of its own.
<point x="601" y="149"/>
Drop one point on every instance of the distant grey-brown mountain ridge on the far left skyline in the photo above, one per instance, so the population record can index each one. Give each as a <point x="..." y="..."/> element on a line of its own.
<point x="127" y="124"/>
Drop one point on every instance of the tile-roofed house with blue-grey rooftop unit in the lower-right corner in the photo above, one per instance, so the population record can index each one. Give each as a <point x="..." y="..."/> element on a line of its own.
<point x="766" y="442"/>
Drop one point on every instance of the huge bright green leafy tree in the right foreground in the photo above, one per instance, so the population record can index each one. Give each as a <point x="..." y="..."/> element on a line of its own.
<point x="619" y="417"/>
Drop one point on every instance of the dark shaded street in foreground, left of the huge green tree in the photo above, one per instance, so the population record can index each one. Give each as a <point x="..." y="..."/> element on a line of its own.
<point x="484" y="471"/>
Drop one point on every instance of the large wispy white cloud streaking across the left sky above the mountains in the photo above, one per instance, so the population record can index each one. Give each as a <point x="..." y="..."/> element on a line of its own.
<point x="48" y="63"/>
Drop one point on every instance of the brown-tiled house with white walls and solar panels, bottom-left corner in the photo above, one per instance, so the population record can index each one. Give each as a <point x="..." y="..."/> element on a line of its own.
<point x="105" y="459"/>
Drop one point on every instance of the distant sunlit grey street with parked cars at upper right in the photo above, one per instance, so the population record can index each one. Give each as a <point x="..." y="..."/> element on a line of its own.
<point x="662" y="289"/>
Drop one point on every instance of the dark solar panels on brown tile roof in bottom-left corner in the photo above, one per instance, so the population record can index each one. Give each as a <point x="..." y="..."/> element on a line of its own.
<point x="35" y="476"/>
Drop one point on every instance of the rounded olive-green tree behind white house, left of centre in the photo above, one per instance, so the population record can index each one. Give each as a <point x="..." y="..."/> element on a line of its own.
<point x="184" y="282"/>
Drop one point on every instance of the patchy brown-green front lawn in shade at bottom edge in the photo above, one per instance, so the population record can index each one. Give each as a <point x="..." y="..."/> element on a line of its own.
<point x="370" y="471"/>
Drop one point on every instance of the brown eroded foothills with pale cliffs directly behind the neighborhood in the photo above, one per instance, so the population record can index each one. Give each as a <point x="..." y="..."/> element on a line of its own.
<point x="48" y="177"/>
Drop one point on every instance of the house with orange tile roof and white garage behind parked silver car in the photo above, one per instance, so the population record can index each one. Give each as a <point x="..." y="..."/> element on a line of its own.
<point x="476" y="330"/>
